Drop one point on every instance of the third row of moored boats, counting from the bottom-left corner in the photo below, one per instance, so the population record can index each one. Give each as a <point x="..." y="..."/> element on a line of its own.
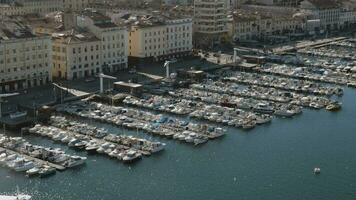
<point x="141" y="120"/>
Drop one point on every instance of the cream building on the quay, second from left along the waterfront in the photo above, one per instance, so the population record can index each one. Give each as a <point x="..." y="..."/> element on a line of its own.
<point x="75" y="55"/>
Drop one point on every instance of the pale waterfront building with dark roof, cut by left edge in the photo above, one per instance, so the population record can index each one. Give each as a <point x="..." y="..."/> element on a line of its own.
<point x="25" y="59"/>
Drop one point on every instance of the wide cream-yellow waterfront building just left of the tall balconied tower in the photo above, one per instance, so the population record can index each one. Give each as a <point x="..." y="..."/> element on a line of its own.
<point x="159" y="38"/>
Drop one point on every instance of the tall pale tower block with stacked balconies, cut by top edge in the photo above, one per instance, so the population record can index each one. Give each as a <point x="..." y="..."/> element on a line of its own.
<point x="210" y="21"/>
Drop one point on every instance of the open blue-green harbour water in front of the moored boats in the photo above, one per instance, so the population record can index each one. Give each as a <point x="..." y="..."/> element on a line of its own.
<point x="272" y="161"/>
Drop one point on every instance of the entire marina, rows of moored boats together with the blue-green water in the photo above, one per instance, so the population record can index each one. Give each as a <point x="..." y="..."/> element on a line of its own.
<point x="262" y="116"/>
